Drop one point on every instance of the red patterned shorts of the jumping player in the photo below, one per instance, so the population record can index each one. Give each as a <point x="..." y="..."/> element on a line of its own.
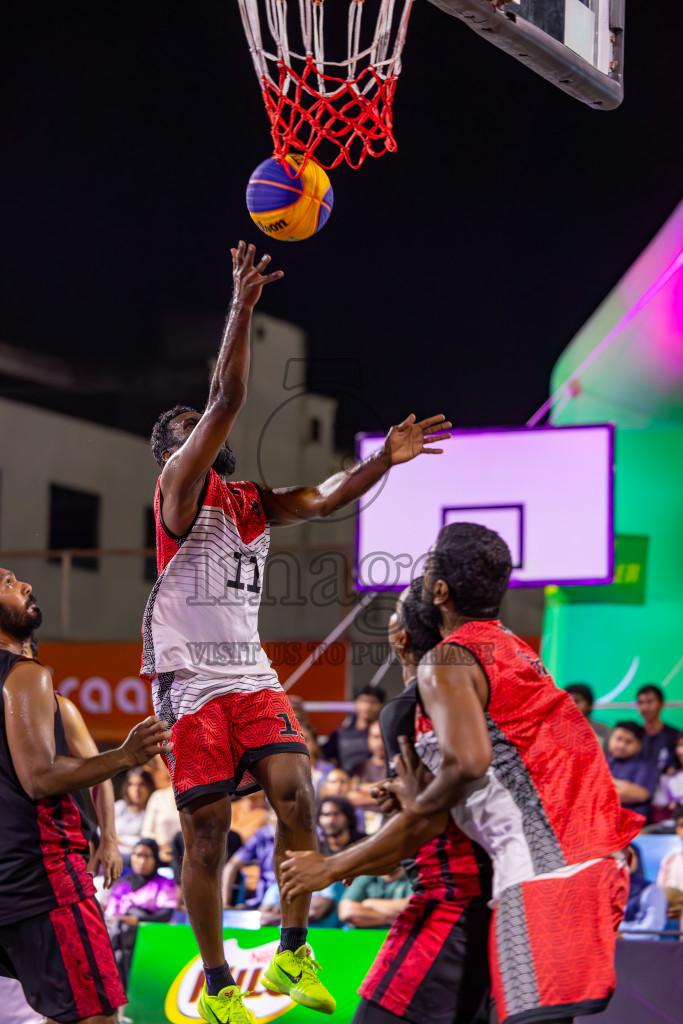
<point x="215" y="748"/>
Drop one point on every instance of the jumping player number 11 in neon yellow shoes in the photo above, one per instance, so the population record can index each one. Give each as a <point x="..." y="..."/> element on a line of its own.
<point x="234" y="729"/>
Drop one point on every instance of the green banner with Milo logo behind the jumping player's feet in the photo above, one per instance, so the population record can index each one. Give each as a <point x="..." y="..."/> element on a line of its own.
<point x="166" y="979"/>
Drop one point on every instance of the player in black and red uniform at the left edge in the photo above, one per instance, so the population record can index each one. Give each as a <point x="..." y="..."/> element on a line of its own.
<point x="53" y="935"/>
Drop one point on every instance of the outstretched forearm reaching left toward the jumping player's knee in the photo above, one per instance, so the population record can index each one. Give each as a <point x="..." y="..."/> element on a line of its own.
<point x="402" y="837"/>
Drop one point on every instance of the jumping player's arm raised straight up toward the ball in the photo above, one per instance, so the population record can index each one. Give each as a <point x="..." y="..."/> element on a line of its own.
<point x="185" y="473"/>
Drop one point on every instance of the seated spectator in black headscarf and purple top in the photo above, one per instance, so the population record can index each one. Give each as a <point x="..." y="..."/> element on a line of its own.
<point x="141" y="895"/>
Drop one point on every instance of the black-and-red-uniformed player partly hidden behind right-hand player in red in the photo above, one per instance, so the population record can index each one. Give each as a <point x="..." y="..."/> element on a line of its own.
<point x="433" y="969"/>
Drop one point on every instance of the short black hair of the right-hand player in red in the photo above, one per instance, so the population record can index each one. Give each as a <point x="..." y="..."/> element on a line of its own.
<point x="477" y="565"/>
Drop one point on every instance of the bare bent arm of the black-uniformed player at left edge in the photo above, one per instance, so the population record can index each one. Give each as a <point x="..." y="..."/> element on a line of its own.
<point x="30" y="705"/>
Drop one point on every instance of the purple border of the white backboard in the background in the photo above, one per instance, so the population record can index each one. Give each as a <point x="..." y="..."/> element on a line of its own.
<point x="517" y="584"/>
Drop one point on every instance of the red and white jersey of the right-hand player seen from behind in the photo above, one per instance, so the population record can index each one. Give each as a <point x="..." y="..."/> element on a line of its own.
<point x="547" y="802"/>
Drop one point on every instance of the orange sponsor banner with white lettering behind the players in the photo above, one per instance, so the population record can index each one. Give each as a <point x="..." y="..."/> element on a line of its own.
<point x="103" y="681"/>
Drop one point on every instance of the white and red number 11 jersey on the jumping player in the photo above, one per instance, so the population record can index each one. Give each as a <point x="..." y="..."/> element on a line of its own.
<point x="200" y="631"/>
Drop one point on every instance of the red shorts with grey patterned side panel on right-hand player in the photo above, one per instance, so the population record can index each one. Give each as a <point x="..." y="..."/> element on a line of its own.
<point x="552" y="945"/>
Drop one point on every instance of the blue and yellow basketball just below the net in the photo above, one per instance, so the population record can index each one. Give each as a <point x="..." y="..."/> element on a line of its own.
<point x="287" y="207"/>
